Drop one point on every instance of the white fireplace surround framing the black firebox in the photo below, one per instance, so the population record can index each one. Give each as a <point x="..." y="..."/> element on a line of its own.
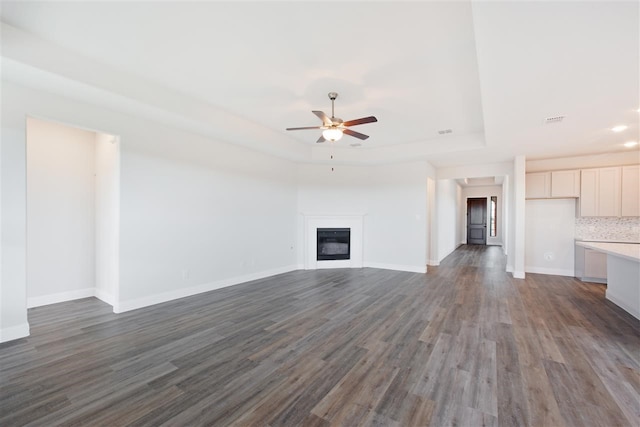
<point x="313" y="221"/>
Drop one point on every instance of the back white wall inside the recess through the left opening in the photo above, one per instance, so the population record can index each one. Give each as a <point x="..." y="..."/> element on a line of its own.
<point x="60" y="212"/>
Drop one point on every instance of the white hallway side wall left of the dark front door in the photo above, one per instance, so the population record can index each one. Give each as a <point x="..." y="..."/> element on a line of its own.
<point x="449" y="213"/>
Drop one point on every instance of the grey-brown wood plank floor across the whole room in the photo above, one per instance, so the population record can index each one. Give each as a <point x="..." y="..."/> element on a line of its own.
<point x="463" y="345"/>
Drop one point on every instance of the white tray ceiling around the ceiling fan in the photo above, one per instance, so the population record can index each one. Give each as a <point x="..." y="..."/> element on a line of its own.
<point x="490" y="71"/>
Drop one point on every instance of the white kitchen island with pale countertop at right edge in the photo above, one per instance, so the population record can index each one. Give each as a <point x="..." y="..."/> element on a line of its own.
<point x="623" y="273"/>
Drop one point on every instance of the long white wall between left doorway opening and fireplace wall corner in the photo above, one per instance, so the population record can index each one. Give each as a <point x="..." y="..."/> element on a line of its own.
<point x="198" y="215"/>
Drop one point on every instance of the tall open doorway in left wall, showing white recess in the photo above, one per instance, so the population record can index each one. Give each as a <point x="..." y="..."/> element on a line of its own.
<point x="72" y="208"/>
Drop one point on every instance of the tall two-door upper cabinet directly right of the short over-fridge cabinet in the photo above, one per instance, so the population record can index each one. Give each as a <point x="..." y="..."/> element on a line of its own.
<point x="600" y="192"/>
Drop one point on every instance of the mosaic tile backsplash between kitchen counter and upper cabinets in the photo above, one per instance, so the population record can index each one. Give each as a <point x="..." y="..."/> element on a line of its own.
<point x="615" y="229"/>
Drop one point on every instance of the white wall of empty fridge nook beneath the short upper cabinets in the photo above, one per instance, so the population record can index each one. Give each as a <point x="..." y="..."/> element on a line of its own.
<point x="549" y="237"/>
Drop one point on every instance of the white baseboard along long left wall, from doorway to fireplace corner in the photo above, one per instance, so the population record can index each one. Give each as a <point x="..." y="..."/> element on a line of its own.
<point x="198" y="289"/>
